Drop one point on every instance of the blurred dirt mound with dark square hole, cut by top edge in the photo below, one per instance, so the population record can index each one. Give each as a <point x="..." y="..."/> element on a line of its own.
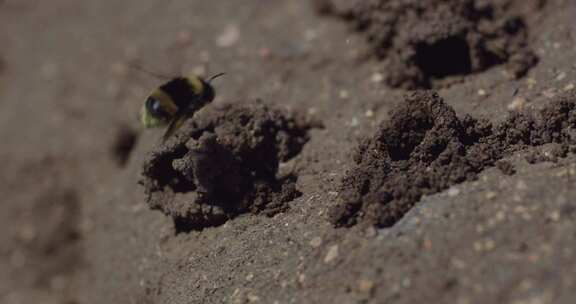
<point x="427" y="44"/>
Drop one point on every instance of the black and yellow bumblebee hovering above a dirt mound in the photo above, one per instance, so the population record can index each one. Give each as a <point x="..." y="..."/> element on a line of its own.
<point x="175" y="101"/>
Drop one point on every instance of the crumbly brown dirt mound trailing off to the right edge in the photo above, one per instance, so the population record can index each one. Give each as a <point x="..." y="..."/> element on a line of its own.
<point x="425" y="148"/>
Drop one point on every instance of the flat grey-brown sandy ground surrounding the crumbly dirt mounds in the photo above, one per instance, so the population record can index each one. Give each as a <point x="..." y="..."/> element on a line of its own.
<point x="76" y="222"/>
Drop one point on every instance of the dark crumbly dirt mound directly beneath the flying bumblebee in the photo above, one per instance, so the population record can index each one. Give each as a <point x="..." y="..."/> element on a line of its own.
<point x="226" y="163"/>
